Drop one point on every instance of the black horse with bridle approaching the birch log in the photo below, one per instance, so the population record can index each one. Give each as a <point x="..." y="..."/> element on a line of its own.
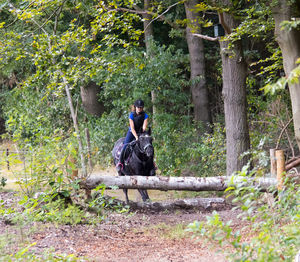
<point x="138" y="159"/>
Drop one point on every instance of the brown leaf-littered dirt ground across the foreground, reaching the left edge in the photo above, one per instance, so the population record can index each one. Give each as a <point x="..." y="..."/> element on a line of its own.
<point x="136" y="236"/>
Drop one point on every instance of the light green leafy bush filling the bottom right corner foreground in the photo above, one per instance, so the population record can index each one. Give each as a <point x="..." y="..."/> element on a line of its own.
<point x="275" y="225"/>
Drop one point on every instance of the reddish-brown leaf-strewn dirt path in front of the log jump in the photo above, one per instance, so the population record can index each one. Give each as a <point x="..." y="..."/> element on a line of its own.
<point x="136" y="239"/>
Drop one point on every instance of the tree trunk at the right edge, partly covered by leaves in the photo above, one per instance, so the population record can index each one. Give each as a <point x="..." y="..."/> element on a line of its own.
<point x="289" y="42"/>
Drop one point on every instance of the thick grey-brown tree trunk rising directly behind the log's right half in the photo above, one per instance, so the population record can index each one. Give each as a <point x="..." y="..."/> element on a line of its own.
<point x="235" y="105"/>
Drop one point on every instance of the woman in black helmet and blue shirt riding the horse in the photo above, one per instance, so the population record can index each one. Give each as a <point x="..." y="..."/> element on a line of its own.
<point x="138" y="121"/>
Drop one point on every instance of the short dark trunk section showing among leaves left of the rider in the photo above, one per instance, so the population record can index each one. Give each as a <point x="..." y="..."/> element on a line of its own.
<point x="90" y="100"/>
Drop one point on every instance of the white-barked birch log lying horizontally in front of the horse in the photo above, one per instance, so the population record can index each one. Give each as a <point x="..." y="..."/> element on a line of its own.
<point x="174" y="183"/>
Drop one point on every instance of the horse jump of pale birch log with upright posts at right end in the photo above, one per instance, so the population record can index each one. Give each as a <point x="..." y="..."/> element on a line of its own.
<point x="220" y="183"/>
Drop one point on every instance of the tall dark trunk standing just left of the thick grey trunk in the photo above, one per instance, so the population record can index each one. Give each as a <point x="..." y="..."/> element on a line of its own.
<point x="199" y="90"/>
